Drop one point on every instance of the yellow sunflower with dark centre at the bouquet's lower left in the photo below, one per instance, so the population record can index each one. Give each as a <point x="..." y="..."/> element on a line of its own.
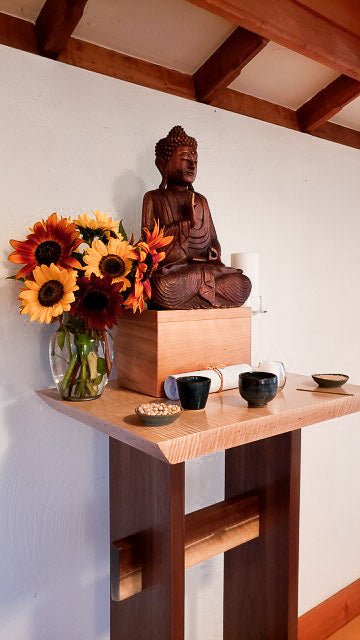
<point x="49" y="294"/>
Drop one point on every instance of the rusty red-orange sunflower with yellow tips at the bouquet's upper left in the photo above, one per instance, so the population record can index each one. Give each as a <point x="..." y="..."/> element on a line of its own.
<point x="51" y="241"/>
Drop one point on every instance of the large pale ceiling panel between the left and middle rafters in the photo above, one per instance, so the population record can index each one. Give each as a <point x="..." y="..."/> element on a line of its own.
<point x="172" y="33"/>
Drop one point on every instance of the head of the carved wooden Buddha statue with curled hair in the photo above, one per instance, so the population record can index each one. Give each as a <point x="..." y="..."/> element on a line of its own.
<point x="176" y="158"/>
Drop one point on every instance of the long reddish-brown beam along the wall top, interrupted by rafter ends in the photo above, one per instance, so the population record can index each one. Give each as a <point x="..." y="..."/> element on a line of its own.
<point x="21" y="35"/>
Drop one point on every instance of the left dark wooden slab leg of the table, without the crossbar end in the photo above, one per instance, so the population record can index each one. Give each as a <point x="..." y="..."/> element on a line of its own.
<point x="147" y="500"/>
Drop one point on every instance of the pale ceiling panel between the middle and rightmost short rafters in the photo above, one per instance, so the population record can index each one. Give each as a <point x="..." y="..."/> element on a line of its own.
<point x="284" y="77"/>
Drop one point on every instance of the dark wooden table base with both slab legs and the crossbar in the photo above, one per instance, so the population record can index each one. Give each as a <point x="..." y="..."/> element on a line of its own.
<point x="153" y="542"/>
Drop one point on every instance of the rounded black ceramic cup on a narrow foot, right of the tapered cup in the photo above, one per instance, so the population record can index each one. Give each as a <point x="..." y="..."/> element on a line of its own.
<point x="258" y="387"/>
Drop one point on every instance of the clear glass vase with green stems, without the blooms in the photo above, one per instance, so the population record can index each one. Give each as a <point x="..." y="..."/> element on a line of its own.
<point x="80" y="363"/>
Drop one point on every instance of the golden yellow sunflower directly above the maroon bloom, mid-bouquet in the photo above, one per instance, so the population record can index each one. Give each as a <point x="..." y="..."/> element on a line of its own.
<point x="114" y="259"/>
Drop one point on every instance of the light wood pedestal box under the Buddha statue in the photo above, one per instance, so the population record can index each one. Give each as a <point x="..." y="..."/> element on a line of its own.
<point x="155" y="344"/>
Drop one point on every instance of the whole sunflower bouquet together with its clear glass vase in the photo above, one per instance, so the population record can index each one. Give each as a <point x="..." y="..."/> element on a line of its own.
<point x="83" y="273"/>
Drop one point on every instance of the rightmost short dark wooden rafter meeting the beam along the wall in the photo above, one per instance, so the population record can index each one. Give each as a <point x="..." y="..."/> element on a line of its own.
<point x="328" y="102"/>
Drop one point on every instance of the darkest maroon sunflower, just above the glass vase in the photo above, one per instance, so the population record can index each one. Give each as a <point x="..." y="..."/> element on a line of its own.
<point x="98" y="302"/>
